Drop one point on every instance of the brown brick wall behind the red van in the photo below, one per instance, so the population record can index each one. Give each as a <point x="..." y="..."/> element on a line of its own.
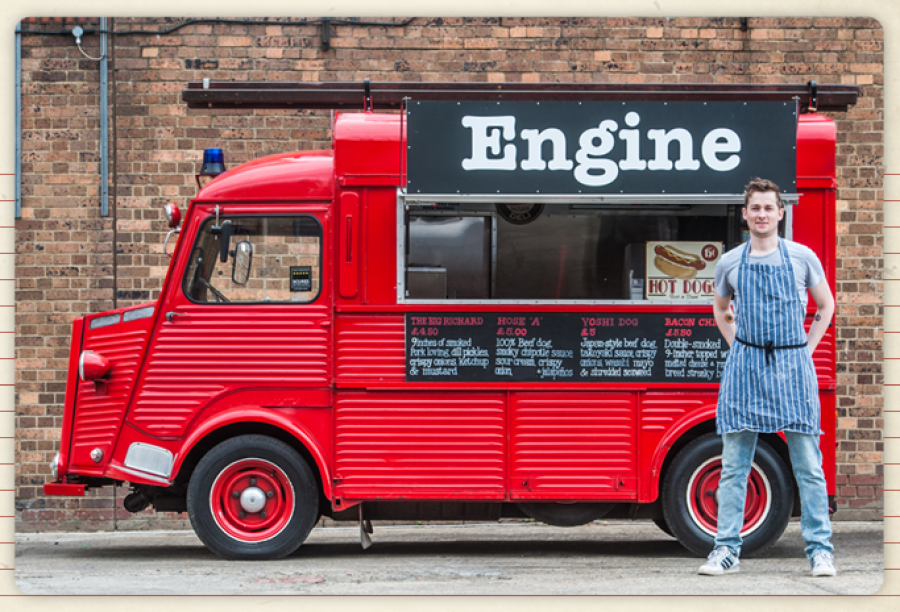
<point x="65" y="249"/>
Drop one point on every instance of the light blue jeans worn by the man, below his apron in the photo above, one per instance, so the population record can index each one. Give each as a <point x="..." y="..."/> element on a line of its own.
<point x="806" y="460"/>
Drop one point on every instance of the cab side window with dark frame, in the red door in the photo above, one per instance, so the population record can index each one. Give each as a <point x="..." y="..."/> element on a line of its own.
<point x="248" y="259"/>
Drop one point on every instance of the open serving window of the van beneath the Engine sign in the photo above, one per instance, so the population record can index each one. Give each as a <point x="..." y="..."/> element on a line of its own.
<point x="547" y="252"/>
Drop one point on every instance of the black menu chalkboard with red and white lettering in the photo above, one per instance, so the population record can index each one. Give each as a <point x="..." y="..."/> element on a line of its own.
<point x="563" y="347"/>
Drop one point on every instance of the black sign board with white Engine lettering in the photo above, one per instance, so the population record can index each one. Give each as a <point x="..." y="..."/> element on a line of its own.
<point x="599" y="147"/>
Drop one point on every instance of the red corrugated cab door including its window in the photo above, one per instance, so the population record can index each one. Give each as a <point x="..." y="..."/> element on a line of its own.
<point x="220" y="332"/>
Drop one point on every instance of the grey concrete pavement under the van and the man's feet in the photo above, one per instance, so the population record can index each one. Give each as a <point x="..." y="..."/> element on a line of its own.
<point x="604" y="557"/>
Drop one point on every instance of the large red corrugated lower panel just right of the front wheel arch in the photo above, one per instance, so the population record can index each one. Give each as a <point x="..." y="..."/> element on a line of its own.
<point x="420" y="445"/>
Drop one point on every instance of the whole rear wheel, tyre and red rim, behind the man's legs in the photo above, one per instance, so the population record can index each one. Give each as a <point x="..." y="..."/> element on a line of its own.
<point x="690" y="500"/>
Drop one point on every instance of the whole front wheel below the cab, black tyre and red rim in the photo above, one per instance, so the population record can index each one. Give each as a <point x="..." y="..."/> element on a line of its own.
<point x="252" y="497"/>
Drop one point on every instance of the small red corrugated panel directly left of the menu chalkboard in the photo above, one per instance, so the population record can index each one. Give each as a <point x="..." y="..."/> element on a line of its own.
<point x="370" y="348"/>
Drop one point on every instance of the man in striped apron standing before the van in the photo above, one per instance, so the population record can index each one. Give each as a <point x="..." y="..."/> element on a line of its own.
<point x="769" y="383"/>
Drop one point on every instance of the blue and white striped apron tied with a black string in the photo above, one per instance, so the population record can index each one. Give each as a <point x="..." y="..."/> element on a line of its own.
<point x="776" y="389"/>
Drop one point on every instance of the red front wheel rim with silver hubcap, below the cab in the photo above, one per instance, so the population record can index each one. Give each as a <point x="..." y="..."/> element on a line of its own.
<point x="252" y="500"/>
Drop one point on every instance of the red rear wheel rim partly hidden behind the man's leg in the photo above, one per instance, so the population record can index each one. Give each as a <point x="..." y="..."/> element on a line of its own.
<point x="703" y="503"/>
